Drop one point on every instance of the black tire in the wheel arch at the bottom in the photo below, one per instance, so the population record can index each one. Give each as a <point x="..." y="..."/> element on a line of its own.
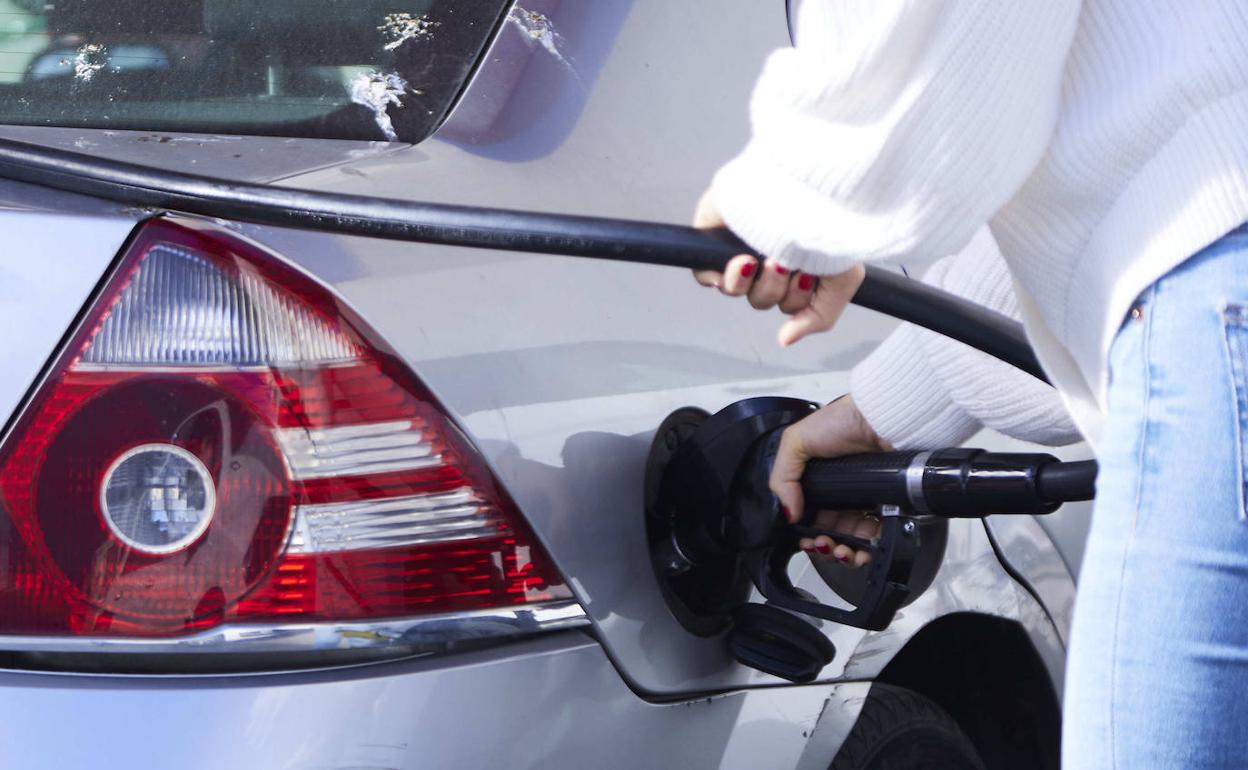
<point x="903" y="731"/>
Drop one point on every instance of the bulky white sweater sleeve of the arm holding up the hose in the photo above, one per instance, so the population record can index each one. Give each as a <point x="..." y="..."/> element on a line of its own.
<point x="894" y="129"/>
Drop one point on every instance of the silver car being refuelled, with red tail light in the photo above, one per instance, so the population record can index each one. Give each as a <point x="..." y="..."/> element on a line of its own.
<point x="286" y="499"/>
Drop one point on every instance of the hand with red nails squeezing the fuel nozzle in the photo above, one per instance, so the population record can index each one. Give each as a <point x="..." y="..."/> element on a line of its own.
<point x="837" y="430"/>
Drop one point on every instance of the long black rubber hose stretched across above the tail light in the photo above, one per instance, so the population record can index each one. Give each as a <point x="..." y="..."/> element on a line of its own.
<point x="575" y="236"/>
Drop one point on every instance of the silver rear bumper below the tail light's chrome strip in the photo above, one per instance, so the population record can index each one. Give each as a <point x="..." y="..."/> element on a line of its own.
<point x="553" y="702"/>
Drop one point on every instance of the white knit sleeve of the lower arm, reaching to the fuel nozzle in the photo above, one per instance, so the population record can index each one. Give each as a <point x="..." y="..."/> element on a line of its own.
<point x="920" y="390"/>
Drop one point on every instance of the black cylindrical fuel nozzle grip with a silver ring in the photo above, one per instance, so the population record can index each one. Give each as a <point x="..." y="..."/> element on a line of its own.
<point x="947" y="482"/>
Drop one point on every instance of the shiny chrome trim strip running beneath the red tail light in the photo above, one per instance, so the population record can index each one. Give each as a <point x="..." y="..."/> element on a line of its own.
<point x="432" y="633"/>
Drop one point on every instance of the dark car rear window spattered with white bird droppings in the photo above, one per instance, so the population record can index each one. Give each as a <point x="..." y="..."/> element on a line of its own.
<point x="334" y="69"/>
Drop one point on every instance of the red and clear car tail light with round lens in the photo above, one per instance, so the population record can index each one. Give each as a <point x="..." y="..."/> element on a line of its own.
<point x="224" y="445"/>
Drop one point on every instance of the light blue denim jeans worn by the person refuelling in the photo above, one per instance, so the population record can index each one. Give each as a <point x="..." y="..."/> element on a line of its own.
<point x="1158" y="675"/>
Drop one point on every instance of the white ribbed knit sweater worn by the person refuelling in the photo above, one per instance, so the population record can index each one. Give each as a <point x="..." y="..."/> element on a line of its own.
<point x="1103" y="143"/>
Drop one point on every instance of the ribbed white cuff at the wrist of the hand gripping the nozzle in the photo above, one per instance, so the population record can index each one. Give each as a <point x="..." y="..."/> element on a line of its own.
<point x="903" y="400"/>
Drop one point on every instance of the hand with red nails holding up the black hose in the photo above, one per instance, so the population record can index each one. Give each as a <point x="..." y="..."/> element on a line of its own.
<point x="814" y="303"/>
